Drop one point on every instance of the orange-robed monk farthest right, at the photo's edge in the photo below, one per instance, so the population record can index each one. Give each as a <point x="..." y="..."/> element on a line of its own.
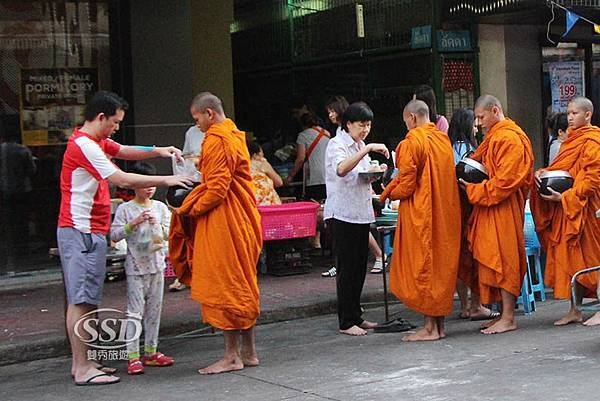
<point x="566" y="223"/>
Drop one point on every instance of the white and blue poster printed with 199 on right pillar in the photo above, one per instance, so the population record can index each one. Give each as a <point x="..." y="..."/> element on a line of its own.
<point x="566" y="82"/>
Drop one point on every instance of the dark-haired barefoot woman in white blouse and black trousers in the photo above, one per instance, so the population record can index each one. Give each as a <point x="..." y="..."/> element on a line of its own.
<point x="349" y="210"/>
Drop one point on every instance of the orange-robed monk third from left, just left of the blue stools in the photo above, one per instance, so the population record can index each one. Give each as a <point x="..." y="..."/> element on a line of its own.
<point x="495" y="231"/>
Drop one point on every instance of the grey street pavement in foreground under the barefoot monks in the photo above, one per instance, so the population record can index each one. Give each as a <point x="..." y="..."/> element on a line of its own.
<point x="306" y="359"/>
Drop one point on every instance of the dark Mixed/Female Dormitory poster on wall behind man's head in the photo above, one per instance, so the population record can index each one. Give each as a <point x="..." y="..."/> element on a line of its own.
<point x="53" y="102"/>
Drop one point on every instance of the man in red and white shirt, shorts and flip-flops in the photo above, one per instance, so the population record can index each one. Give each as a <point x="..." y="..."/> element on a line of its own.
<point x="84" y="218"/>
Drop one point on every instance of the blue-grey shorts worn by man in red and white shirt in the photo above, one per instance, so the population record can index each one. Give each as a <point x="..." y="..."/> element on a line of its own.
<point x="83" y="259"/>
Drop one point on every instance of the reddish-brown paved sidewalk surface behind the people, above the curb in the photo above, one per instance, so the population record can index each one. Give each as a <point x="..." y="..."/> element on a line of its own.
<point x="32" y="319"/>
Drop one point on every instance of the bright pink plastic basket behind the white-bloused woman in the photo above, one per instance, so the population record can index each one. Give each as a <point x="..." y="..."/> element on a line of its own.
<point x="290" y="220"/>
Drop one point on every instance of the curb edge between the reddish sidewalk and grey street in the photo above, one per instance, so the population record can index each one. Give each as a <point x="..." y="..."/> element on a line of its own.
<point x="57" y="346"/>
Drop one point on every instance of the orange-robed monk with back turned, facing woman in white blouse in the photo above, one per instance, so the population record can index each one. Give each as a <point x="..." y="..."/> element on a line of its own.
<point x="427" y="242"/>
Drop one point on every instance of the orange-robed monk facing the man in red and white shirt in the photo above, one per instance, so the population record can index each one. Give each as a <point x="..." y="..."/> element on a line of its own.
<point x="227" y="236"/>
